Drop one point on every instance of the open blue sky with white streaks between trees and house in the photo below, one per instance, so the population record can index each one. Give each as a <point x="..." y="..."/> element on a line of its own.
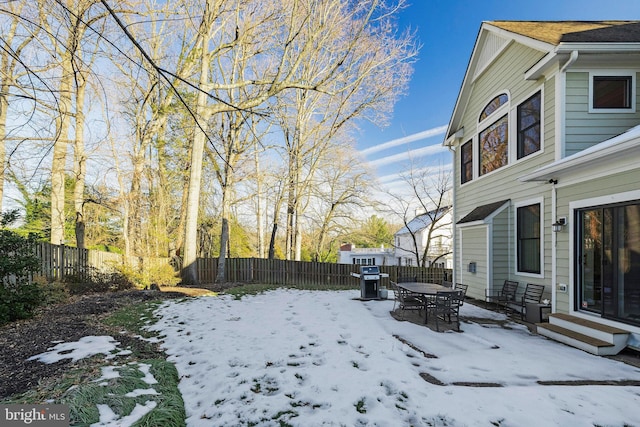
<point x="447" y="31"/>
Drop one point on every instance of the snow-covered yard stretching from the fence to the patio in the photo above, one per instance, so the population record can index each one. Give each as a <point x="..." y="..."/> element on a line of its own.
<point x="308" y="358"/>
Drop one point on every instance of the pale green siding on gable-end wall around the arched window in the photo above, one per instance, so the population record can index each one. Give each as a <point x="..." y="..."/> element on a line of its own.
<point x="506" y="74"/>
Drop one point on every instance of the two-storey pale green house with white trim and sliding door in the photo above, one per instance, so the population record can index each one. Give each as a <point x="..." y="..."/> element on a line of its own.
<point x="546" y="142"/>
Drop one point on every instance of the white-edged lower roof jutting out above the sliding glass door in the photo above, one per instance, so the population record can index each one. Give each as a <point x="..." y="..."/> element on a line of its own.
<point x="617" y="150"/>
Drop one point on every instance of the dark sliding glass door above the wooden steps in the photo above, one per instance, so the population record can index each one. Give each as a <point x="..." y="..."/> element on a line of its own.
<point x="608" y="267"/>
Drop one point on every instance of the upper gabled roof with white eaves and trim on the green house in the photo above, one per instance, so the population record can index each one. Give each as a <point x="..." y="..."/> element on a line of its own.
<point x="555" y="40"/>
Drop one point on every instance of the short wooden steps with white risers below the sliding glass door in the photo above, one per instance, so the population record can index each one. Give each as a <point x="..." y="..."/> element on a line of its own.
<point x="587" y="335"/>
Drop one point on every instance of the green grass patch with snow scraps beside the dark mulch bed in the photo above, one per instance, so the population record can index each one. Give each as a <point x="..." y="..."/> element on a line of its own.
<point x="80" y="389"/>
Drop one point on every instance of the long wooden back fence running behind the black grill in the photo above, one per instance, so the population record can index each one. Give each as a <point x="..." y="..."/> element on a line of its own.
<point x="316" y="274"/>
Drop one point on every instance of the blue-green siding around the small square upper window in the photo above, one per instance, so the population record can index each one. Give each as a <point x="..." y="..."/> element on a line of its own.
<point x="584" y="129"/>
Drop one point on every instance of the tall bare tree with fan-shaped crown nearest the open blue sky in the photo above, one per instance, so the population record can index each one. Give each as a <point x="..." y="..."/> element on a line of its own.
<point x="373" y="73"/>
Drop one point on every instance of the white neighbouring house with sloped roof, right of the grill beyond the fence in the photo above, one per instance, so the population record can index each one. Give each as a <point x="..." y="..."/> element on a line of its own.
<point x="440" y="247"/>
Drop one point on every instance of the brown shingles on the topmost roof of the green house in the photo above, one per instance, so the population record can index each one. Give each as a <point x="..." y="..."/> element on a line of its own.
<point x="556" y="32"/>
